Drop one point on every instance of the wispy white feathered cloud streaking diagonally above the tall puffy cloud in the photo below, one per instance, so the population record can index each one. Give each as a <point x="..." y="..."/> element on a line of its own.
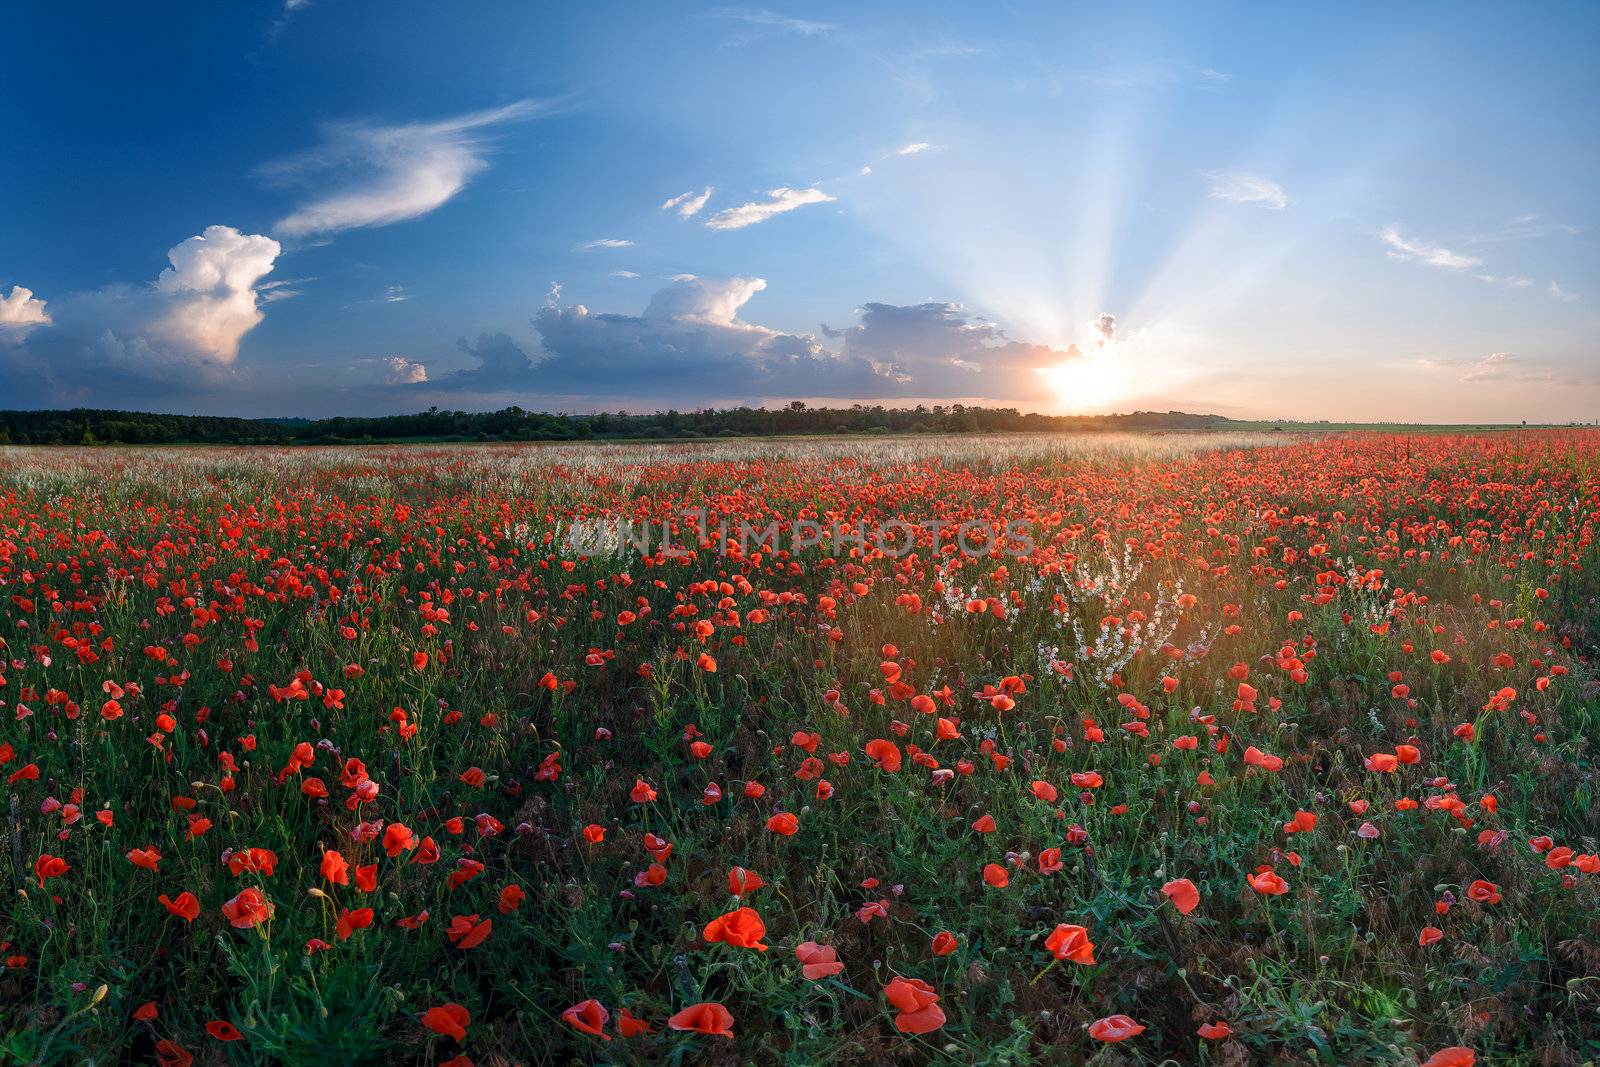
<point x="391" y="174"/>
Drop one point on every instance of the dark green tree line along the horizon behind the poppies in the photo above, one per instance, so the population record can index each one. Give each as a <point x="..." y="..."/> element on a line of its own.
<point x="94" y="426"/>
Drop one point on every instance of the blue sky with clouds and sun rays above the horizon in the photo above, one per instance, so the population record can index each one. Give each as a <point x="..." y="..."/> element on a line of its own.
<point x="338" y="209"/>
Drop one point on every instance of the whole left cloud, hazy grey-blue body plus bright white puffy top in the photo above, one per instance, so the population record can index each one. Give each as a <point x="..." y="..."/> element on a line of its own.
<point x="156" y="342"/>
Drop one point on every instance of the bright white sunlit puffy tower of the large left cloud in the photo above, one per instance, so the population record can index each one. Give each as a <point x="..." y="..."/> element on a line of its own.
<point x="212" y="290"/>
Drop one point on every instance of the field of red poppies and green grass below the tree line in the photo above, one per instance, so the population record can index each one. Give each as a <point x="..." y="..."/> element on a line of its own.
<point x="980" y="751"/>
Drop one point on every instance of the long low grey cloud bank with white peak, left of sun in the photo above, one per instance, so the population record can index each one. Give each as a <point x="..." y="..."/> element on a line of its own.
<point x="692" y="343"/>
